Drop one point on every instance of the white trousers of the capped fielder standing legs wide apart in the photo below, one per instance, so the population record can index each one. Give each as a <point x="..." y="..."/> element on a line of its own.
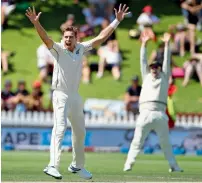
<point x="147" y="121"/>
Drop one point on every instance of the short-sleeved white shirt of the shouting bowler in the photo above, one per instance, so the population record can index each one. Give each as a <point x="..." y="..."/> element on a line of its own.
<point x="68" y="66"/>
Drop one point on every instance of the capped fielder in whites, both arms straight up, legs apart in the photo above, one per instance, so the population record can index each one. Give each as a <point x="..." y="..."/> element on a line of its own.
<point x="152" y="106"/>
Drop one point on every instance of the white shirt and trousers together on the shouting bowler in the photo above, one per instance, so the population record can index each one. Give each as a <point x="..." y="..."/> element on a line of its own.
<point x="67" y="103"/>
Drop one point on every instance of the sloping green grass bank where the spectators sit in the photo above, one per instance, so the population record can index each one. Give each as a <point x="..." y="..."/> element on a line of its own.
<point x="22" y="38"/>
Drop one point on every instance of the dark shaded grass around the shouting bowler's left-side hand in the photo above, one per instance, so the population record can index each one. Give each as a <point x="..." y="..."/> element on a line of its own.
<point x="53" y="15"/>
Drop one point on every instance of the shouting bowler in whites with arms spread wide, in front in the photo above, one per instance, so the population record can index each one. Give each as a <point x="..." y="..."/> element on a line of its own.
<point x="67" y="103"/>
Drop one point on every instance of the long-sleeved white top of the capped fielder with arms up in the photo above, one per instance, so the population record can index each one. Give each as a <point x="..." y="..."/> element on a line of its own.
<point x="154" y="91"/>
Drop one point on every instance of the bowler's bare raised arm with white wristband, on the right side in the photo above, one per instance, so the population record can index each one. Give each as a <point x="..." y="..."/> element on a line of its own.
<point x="104" y="34"/>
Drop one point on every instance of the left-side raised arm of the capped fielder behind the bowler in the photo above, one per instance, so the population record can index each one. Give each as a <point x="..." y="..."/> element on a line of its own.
<point x="143" y="57"/>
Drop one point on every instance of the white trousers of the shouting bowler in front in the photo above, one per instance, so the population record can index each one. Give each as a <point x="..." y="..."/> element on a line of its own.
<point x="67" y="108"/>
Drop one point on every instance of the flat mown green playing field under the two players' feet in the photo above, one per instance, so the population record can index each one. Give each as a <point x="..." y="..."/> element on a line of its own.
<point x="105" y="167"/>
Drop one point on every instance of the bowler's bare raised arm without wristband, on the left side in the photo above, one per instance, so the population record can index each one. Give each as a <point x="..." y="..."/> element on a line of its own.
<point x="34" y="18"/>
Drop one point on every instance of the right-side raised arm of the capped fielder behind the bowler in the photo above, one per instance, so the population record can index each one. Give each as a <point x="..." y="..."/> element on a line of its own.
<point x="167" y="54"/>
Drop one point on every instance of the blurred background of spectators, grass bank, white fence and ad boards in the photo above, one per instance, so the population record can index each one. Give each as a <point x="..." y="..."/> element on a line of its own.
<point x="111" y="82"/>
